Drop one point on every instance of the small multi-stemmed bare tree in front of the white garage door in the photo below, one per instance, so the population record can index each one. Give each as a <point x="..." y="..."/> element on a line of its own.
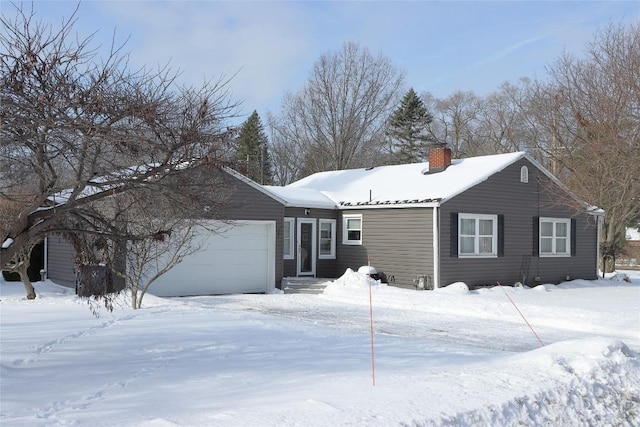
<point x="181" y="233"/>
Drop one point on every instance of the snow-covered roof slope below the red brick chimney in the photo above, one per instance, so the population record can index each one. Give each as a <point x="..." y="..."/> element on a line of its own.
<point x="396" y="185"/>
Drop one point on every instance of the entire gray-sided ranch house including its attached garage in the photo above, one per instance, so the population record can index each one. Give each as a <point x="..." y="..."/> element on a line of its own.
<point x="479" y="220"/>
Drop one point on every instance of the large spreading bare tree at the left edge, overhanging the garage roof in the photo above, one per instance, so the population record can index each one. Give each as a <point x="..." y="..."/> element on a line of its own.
<point x="76" y="130"/>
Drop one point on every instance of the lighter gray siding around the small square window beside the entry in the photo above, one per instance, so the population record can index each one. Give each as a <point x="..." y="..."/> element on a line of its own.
<point x="397" y="242"/>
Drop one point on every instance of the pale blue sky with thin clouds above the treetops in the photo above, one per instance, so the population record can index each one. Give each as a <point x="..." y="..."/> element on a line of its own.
<point x="270" y="47"/>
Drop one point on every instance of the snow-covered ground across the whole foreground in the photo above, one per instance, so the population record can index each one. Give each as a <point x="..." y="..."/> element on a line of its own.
<point x="449" y="357"/>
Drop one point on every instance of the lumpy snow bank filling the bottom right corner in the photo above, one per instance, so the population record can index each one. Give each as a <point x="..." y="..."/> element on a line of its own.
<point x="586" y="382"/>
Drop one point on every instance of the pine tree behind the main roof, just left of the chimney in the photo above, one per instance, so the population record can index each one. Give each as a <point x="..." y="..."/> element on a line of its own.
<point x="407" y="128"/>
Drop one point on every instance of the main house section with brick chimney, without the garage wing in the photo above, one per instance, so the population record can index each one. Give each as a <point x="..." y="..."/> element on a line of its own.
<point x="500" y="218"/>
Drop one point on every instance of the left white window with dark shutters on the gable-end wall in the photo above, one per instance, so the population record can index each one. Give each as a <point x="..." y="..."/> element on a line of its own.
<point x="478" y="235"/>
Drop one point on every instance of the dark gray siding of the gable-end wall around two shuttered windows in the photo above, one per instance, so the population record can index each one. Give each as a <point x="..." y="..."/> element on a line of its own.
<point x="519" y="203"/>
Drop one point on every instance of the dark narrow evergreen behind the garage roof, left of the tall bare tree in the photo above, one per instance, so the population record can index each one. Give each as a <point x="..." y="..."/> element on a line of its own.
<point x="252" y="152"/>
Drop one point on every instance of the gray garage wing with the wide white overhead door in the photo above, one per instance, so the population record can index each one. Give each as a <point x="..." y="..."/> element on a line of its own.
<point x="245" y="256"/>
